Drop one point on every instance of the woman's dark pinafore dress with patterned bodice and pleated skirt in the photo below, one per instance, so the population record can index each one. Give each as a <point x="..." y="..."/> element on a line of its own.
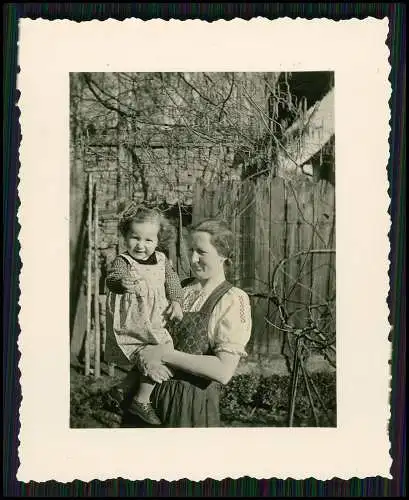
<point x="188" y="400"/>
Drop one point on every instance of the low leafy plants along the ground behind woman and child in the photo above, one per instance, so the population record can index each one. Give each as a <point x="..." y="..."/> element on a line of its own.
<point x="249" y="400"/>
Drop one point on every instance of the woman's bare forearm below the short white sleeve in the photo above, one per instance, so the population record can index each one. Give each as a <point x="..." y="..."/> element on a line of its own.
<point x="220" y="367"/>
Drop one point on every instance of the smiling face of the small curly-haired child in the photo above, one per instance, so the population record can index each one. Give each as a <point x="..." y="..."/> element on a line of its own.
<point x="142" y="239"/>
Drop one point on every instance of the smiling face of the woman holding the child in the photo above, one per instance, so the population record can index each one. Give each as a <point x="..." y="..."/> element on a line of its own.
<point x="205" y="260"/>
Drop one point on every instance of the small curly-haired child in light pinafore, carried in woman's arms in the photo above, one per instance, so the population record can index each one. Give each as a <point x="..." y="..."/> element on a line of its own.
<point x="143" y="293"/>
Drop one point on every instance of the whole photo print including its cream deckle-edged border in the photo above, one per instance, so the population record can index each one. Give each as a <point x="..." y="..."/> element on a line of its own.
<point x="213" y="215"/>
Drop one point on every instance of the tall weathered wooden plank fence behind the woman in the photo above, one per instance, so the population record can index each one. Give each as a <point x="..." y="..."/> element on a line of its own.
<point x="275" y="219"/>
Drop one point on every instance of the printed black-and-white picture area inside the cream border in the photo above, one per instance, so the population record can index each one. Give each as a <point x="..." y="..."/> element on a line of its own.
<point x="202" y="249"/>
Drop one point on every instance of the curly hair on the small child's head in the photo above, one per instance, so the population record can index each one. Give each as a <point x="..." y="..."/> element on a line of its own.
<point x="140" y="213"/>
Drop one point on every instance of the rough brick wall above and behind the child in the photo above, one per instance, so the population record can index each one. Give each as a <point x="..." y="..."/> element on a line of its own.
<point x="169" y="176"/>
